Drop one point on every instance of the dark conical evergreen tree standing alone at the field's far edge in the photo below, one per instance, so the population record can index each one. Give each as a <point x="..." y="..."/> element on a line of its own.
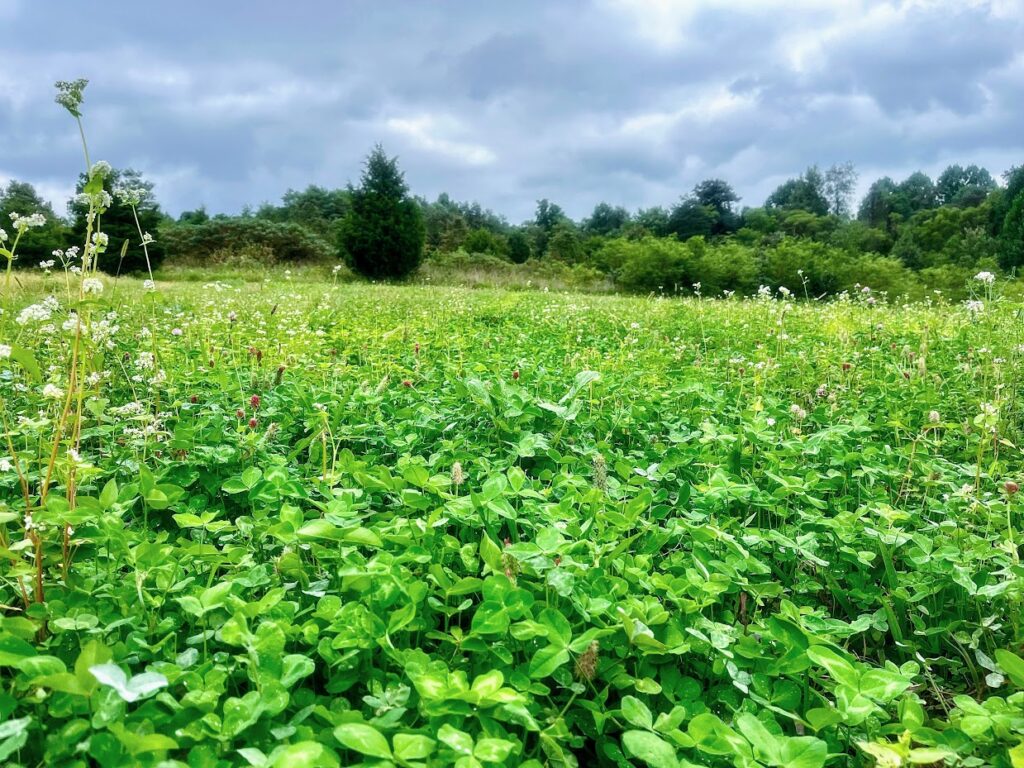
<point x="382" y="236"/>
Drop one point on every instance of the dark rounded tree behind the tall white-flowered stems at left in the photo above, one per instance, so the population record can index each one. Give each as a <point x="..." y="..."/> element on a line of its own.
<point x="119" y="224"/>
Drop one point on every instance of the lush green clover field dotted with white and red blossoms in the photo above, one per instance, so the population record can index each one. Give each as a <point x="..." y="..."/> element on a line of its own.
<point x="296" y="524"/>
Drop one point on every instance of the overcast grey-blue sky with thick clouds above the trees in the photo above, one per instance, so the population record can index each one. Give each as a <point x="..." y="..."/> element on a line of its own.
<point x="630" y="102"/>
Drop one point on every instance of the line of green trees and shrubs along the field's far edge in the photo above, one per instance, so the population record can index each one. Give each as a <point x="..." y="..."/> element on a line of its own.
<point x="807" y="234"/>
